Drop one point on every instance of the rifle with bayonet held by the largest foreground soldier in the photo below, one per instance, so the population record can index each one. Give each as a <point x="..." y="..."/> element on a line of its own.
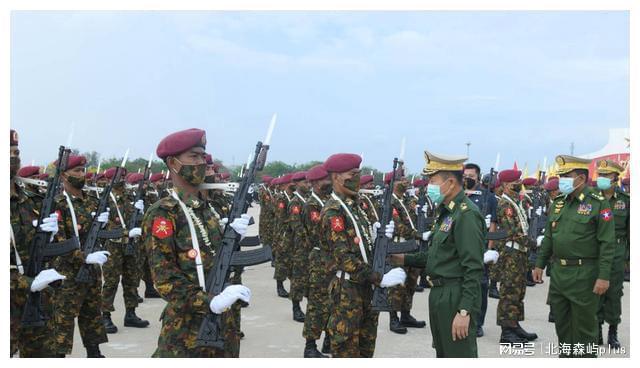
<point x="229" y="255"/>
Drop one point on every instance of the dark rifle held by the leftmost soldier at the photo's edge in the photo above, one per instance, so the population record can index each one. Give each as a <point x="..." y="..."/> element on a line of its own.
<point x="42" y="249"/>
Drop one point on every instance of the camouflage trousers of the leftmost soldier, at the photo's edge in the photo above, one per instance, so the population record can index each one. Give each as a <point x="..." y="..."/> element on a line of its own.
<point x="31" y="342"/>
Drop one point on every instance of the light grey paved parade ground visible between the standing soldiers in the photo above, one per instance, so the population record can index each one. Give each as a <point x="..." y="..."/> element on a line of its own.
<point x="270" y="331"/>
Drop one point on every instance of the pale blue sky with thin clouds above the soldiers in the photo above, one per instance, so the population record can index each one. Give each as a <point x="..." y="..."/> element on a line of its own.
<point x="524" y="84"/>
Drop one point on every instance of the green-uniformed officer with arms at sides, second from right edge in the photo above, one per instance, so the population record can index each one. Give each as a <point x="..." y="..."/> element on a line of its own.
<point x="580" y="235"/>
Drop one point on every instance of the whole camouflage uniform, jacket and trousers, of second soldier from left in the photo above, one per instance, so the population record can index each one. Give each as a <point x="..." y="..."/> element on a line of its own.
<point x="75" y="299"/>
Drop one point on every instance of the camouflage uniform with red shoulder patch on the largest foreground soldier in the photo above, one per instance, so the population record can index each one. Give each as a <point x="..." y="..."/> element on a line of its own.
<point x="167" y="240"/>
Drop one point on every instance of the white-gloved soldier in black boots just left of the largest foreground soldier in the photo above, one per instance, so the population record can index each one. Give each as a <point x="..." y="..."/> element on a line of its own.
<point x="122" y="267"/>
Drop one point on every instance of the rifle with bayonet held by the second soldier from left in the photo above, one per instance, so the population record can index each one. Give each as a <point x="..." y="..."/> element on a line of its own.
<point x="95" y="232"/>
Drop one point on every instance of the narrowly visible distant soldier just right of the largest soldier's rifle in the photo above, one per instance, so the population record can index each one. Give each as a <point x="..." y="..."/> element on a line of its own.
<point x="282" y="238"/>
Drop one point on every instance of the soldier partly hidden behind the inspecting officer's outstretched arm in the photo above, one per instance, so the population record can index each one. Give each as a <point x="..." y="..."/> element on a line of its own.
<point x="401" y="297"/>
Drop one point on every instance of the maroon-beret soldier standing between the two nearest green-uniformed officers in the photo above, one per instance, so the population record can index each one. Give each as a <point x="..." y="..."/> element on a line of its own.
<point x="512" y="218"/>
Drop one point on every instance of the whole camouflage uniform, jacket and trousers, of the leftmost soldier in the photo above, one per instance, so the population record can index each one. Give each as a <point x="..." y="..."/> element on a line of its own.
<point x="30" y="341"/>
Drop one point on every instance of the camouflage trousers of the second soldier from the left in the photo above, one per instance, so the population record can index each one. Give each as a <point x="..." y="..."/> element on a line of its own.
<point x="82" y="301"/>
